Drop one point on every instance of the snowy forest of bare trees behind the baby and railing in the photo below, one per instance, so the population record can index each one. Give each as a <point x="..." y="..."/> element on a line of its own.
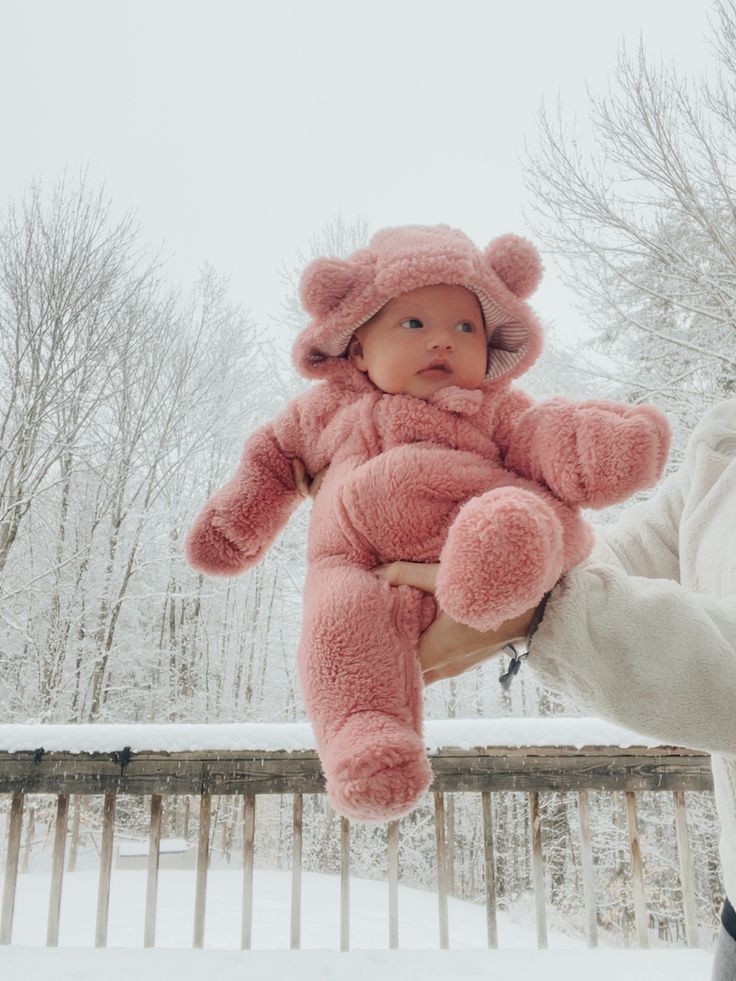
<point x="124" y="403"/>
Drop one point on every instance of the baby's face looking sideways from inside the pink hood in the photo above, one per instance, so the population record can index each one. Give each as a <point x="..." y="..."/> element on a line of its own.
<point x="424" y="340"/>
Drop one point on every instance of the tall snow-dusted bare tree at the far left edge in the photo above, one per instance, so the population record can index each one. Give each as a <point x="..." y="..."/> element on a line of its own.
<point x="66" y="273"/>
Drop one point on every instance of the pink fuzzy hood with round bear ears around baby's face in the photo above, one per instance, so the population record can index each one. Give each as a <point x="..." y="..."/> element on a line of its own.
<point x="341" y="294"/>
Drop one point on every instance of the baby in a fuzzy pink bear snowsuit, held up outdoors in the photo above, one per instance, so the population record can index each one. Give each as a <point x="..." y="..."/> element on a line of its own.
<point x="433" y="456"/>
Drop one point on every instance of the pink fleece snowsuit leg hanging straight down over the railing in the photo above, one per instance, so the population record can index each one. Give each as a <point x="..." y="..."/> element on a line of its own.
<point x="362" y="686"/>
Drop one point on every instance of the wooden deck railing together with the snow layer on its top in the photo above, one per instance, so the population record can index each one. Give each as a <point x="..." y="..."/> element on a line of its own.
<point x="467" y="756"/>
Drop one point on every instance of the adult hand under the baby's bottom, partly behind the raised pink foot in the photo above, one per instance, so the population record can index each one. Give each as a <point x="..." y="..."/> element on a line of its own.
<point x="447" y="647"/>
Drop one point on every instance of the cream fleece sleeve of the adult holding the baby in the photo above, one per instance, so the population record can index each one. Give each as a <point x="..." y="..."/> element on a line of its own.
<point x="627" y="642"/>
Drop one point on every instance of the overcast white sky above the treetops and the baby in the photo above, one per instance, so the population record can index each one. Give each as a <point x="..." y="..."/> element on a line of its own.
<point x="236" y="130"/>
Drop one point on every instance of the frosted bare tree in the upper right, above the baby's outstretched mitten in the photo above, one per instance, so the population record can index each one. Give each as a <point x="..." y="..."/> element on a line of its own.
<point x="643" y="222"/>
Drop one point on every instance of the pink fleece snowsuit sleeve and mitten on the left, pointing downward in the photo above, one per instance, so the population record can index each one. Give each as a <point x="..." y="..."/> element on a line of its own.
<point x="239" y="523"/>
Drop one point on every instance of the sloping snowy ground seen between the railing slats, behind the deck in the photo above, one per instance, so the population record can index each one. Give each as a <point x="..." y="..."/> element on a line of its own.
<point x="418" y="917"/>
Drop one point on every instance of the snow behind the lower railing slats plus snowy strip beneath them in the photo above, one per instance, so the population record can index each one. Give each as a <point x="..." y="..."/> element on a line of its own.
<point x="319" y="958"/>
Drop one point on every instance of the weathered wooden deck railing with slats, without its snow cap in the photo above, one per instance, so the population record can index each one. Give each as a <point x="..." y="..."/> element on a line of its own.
<point x="484" y="771"/>
